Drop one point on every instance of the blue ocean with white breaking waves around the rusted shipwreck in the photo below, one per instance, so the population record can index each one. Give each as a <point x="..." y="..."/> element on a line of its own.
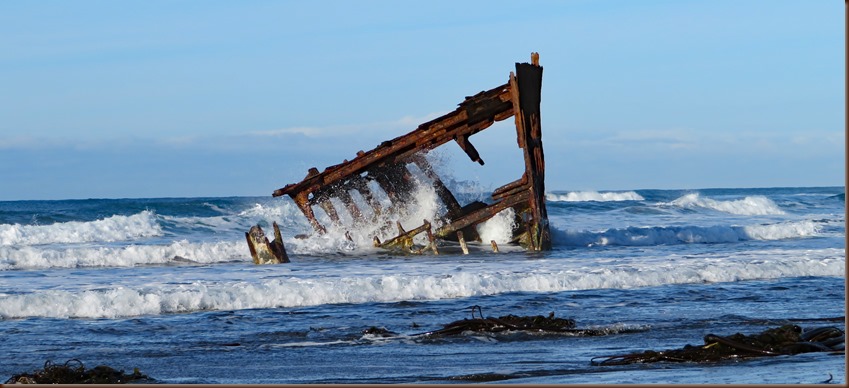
<point x="167" y="285"/>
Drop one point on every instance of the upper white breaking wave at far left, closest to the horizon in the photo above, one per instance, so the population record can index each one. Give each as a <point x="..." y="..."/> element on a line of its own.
<point x="109" y="229"/>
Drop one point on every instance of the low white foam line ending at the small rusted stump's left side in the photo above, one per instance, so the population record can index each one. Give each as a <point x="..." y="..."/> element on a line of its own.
<point x="36" y="257"/>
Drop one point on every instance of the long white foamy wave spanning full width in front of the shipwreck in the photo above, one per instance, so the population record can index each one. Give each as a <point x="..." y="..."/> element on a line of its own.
<point x="433" y="281"/>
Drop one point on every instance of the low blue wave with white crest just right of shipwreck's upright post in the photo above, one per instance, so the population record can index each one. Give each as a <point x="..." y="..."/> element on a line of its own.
<point x="668" y="235"/>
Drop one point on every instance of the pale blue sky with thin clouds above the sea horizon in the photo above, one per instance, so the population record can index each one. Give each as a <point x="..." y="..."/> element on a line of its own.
<point x="114" y="99"/>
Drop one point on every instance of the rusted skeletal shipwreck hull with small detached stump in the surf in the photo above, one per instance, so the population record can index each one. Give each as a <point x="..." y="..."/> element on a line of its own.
<point x="388" y="168"/>
